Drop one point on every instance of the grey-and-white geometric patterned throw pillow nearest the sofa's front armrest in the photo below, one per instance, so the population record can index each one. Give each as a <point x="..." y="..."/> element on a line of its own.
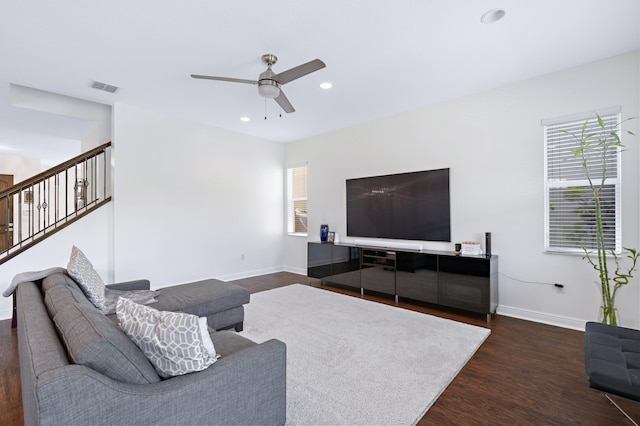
<point x="174" y="342"/>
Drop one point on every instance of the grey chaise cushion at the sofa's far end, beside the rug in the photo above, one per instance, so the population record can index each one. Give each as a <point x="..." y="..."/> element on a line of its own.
<point x="202" y="298"/>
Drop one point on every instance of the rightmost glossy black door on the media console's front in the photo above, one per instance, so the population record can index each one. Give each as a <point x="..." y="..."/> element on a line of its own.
<point x="463" y="282"/>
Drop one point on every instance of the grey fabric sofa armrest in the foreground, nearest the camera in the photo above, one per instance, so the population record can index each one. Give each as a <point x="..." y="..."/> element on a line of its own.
<point x="245" y="387"/>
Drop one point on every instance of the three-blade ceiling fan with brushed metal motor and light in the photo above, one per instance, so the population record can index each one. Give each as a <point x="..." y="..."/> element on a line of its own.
<point x="270" y="83"/>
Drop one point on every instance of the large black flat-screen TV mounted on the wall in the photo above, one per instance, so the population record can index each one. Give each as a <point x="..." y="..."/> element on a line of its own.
<point x="407" y="206"/>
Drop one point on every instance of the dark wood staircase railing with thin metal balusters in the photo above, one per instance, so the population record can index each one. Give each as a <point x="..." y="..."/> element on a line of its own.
<point x="49" y="201"/>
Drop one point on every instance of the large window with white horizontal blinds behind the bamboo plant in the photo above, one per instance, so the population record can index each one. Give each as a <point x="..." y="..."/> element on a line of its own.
<point x="569" y="203"/>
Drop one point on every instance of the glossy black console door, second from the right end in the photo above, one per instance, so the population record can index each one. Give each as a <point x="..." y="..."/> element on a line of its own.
<point x="417" y="276"/>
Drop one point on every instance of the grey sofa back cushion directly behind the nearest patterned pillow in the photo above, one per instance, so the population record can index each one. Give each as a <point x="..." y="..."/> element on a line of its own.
<point x="93" y="340"/>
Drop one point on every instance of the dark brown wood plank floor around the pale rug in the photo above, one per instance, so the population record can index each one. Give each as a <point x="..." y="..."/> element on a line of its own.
<point x="524" y="374"/>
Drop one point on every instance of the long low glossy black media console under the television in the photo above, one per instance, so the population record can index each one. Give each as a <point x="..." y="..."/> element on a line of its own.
<point x="441" y="278"/>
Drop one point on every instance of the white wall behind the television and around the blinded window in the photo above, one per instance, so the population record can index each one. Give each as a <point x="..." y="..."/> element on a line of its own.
<point x="493" y="144"/>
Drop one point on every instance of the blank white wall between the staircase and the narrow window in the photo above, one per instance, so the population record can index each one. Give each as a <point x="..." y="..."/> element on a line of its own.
<point x="190" y="200"/>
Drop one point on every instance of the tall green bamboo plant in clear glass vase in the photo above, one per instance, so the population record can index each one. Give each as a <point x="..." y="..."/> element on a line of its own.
<point x="599" y="139"/>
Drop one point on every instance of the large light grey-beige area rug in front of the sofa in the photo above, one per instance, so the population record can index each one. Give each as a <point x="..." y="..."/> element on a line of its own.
<point x="351" y="361"/>
